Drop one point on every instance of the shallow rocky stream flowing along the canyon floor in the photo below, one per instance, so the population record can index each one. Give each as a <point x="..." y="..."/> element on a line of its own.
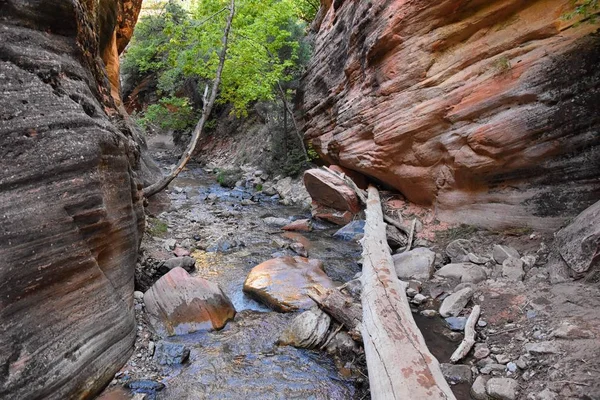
<point x="242" y="360"/>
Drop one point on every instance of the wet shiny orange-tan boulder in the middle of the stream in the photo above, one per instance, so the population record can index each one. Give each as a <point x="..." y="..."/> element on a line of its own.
<point x="283" y="283"/>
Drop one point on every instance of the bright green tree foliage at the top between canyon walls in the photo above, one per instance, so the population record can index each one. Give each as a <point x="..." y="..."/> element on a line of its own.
<point x="266" y="49"/>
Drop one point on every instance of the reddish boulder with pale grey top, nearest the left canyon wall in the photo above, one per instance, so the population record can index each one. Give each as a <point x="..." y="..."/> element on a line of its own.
<point x="178" y="304"/>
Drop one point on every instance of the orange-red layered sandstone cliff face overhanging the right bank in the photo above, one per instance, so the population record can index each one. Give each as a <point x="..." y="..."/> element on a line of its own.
<point x="487" y="110"/>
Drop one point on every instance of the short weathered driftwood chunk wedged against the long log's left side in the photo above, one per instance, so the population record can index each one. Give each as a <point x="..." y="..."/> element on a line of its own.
<point x="340" y="307"/>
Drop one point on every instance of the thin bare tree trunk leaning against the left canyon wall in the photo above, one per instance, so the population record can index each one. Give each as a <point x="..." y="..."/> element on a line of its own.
<point x="206" y="110"/>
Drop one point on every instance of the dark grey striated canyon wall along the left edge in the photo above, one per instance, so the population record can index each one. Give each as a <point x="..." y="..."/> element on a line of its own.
<point x="71" y="214"/>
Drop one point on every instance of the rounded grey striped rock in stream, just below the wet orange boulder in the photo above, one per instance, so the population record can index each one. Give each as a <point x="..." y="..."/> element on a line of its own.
<point x="308" y="330"/>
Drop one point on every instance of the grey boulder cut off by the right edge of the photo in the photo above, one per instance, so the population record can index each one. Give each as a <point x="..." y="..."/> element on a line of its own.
<point x="579" y="242"/>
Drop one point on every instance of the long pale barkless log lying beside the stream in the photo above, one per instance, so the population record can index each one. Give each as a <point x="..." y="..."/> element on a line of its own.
<point x="399" y="362"/>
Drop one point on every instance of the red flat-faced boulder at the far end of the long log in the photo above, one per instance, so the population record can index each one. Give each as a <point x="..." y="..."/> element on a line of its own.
<point x="331" y="191"/>
